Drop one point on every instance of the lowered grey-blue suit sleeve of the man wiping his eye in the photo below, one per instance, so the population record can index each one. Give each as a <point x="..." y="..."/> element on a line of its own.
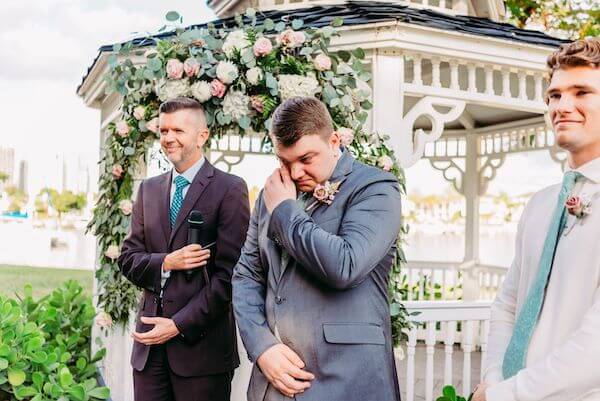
<point x="249" y="292"/>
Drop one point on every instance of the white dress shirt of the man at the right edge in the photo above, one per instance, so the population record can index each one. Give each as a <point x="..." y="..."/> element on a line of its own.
<point x="563" y="360"/>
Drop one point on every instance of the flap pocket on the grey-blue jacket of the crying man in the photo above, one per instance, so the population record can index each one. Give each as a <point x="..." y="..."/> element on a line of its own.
<point x="353" y="333"/>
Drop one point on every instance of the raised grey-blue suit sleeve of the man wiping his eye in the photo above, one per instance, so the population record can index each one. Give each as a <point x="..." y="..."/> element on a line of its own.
<point x="368" y="230"/>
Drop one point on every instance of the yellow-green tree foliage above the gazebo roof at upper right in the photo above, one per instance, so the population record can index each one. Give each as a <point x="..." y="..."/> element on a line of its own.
<point x="571" y="19"/>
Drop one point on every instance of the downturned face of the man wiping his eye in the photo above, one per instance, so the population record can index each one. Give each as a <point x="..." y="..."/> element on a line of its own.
<point x="310" y="160"/>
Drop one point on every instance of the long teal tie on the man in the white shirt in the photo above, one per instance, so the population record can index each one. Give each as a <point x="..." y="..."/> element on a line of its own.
<point x="516" y="352"/>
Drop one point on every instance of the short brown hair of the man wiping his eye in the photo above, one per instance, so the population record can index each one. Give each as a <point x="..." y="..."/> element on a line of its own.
<point x="300" y="116"/>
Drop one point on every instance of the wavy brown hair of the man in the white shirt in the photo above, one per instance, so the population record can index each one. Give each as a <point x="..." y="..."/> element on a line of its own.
<point x="585" y="52"/>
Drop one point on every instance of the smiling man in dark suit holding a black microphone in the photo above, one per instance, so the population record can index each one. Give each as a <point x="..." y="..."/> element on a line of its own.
<point x="185" y="342"/>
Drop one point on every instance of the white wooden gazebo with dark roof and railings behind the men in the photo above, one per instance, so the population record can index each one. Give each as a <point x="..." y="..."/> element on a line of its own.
<point x="452" y="83"/>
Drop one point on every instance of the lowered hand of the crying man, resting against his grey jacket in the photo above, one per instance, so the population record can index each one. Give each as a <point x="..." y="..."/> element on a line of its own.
<point x="283" y="368"/>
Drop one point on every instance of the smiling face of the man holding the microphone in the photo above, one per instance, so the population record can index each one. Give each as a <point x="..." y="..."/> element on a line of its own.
<point x="183" y="133"/>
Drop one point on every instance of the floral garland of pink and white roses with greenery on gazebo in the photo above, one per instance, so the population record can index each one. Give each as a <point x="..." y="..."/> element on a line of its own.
<point x="240" y="74"/>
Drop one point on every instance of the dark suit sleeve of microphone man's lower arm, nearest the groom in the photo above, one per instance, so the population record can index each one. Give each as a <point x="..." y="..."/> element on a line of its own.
<point x="215" y="298"/>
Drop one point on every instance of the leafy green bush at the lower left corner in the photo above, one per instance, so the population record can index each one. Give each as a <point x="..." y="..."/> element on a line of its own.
<point x="45" y="347"/>
